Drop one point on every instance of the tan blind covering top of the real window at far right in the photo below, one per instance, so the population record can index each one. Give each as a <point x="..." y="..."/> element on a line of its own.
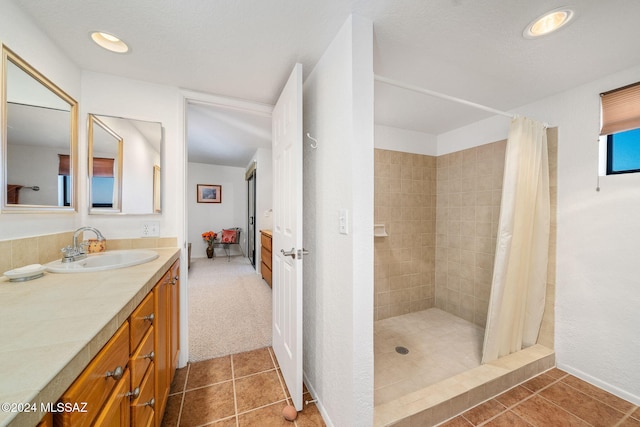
<point x="620" y="109"/>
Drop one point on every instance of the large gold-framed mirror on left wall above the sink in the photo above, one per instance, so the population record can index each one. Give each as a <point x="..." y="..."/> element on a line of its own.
<point x="39" y="141"/>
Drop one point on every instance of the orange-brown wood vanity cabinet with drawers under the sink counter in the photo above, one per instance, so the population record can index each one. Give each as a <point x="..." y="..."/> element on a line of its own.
<point x="127" y="383"/>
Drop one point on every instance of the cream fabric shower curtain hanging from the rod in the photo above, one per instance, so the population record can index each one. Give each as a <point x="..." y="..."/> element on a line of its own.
<point x="518" y="288"/>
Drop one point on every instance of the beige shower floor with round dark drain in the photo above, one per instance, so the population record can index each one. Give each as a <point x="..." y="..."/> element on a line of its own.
<point x="440" y="346"/>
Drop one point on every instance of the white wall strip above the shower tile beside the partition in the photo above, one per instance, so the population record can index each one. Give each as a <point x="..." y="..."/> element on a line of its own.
<point x="408" y="141"/>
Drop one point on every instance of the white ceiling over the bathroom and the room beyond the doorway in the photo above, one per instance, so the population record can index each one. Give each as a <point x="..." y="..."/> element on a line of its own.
<point x="471" y="49"/>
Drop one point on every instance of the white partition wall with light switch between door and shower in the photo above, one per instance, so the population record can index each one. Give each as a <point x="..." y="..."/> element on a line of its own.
<point x="338" y="273"/>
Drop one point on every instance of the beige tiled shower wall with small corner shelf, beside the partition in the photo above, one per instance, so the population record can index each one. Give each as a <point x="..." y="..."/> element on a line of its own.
<point x="405" y="202"/>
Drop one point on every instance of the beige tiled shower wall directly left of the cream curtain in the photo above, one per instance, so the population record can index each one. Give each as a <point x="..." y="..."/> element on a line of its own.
<point x="469" y="190"/>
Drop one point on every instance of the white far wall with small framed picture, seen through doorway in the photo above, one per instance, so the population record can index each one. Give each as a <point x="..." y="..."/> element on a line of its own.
<point x="232" y="212"/>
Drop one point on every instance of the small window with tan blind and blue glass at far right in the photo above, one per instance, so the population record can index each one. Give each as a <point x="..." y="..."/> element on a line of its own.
<point x="621" y="128"/>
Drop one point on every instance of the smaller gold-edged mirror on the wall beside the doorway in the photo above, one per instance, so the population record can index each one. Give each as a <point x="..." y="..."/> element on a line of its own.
<point x="125" y="156"/>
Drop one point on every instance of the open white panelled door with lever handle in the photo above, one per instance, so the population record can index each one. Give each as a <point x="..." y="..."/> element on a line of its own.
<point x="287" y="234"/>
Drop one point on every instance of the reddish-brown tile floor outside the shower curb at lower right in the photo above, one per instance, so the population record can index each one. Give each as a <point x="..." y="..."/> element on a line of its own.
<point x="553" y="398"/>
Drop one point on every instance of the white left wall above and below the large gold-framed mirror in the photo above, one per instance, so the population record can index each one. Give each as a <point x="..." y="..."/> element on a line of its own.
<point x="19" y="33"/>
